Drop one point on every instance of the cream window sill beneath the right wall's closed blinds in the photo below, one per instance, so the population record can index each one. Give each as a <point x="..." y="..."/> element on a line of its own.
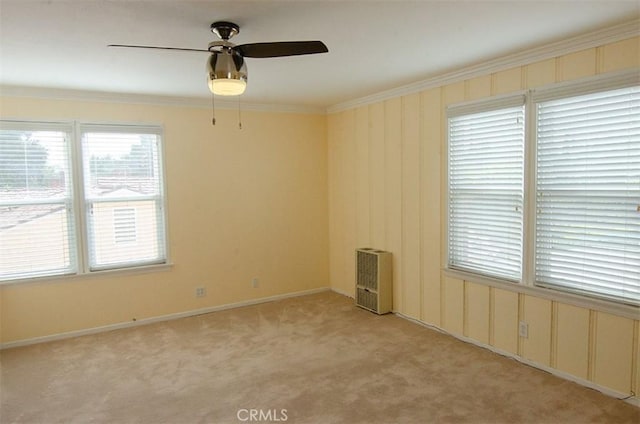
<point x="600" y="305"/>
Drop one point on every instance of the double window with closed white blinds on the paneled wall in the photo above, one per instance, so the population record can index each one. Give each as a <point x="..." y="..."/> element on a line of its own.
<point x="582" y="150"/>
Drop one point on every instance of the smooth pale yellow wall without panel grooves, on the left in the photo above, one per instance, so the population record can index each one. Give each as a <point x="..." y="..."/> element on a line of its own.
<point x="241" y="204"/>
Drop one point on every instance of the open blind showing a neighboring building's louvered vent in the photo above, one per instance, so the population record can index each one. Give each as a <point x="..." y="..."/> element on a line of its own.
<point x="123" y="197"/>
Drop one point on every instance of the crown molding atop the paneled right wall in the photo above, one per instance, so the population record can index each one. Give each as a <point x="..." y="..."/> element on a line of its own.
<point x="584" y="41"/>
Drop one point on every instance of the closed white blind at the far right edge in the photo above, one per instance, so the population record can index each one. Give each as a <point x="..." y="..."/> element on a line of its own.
<point x="588" y="194"/>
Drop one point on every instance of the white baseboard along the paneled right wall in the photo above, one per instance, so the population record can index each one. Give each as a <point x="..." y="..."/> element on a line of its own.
<point x="633" y="400"/>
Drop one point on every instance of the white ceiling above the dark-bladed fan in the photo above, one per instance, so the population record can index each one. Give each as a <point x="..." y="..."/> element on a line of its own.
<point x="373" y="45"/>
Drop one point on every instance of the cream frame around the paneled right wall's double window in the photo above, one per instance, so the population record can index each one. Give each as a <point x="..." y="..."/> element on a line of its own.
<point x="587" y="85"/>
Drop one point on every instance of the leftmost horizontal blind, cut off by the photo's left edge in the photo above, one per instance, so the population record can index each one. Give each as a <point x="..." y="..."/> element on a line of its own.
<point x="37" y="224"/>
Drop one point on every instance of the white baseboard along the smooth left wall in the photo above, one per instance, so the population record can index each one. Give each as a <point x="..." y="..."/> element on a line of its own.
<point x="145" y="321"/>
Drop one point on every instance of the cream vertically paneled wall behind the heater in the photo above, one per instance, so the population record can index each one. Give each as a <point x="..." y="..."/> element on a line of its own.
<point x="387" y="190"/>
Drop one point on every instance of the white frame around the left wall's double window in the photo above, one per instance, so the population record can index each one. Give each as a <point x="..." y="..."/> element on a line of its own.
<point x="79" y="245"/>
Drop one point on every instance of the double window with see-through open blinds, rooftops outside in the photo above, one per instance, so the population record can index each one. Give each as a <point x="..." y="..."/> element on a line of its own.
<point x="108" y="215"/>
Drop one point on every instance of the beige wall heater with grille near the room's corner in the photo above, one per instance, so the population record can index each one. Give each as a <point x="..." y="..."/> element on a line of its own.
<point x="373" y="280"/>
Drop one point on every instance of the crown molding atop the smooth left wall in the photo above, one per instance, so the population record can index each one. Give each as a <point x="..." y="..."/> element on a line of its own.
<point x="148" y="99"/>
